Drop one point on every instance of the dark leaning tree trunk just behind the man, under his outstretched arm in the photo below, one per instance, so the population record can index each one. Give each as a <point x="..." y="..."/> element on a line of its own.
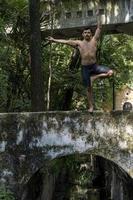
<point x="74" y="63"/>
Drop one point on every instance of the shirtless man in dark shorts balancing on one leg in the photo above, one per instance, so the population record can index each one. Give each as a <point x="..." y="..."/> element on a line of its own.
<point x="90" y="69"/>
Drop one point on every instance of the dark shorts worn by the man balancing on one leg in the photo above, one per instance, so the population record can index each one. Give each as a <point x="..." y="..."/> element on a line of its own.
<point x="91" y="70"/>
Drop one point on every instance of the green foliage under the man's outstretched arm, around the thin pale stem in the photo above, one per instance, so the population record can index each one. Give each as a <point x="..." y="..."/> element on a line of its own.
<point x="60" y="74"/>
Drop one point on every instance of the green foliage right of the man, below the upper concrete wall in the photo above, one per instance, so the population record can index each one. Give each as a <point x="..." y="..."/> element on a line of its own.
<point x="116" y="52"/>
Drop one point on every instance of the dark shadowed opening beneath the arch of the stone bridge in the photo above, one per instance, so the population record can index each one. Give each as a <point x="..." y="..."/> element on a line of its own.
<point x="79" y="177"/>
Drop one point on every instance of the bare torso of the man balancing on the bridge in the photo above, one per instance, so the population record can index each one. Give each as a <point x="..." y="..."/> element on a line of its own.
<point x="88" y="51"/>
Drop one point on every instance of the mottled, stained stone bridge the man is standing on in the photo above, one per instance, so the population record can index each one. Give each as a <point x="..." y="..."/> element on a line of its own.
<point x="28" y="140"/>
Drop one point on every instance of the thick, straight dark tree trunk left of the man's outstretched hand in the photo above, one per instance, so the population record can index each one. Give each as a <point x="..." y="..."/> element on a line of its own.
<point x="37" y="89"/>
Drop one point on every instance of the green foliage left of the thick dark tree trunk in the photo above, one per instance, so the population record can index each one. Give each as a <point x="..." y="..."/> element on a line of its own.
<point x="14" y="59"/>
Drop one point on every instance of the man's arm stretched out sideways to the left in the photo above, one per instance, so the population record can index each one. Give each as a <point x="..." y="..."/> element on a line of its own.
<point x="73" y="43"/>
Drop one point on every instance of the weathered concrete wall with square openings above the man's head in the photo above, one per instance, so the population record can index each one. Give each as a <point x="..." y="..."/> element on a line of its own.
<point x="75" y="15"/>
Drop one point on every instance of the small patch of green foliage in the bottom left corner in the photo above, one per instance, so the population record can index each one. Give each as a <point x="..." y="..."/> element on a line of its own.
<point x="6" y="194"/>
